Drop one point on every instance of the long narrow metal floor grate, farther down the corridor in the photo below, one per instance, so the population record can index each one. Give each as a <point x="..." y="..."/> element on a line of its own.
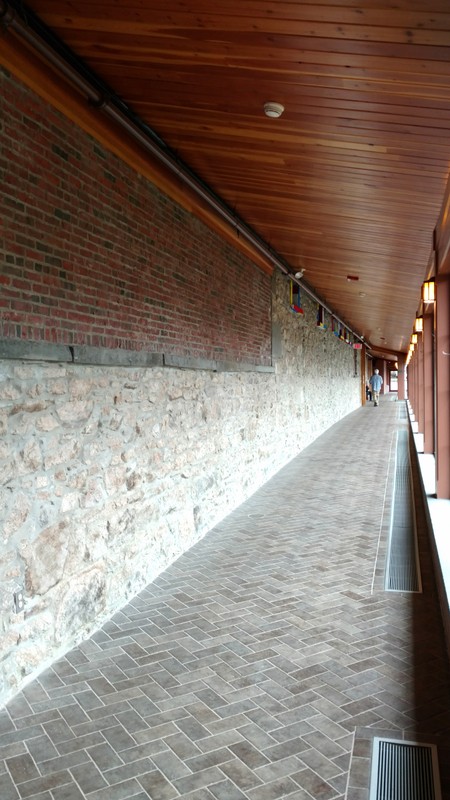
<point x="403" y="570"/>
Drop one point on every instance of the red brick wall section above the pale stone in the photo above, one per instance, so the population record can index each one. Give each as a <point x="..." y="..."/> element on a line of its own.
<point x="93" y="254"/>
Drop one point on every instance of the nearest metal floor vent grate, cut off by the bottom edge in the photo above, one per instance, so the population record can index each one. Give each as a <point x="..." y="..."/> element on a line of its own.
<point x="404" y="771"/>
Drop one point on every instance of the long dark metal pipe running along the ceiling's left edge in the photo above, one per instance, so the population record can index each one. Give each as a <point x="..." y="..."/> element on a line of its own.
<point x="104" y="101"/>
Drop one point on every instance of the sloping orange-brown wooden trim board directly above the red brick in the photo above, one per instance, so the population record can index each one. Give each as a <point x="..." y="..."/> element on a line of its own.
<point x="46" y="81"/>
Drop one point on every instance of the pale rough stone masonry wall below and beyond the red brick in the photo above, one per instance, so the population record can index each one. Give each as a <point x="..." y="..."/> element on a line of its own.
<point x="107" y="474"/>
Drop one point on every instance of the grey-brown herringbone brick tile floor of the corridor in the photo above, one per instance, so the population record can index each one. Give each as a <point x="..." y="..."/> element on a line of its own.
<point x="261" y="664"/>
